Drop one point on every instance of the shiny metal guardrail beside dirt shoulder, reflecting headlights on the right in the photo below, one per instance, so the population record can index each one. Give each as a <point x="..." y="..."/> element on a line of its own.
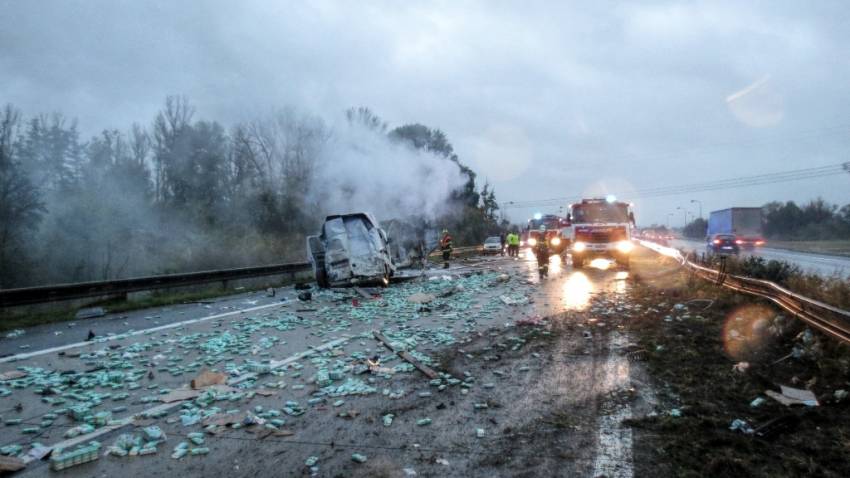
<point x="826" y="318"/>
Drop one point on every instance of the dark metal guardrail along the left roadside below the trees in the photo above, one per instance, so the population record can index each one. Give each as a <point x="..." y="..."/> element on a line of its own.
<point x="53" y="293"/>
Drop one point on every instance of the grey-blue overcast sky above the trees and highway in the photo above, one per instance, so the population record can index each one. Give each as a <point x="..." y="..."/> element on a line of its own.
<point x="544" y="99"/>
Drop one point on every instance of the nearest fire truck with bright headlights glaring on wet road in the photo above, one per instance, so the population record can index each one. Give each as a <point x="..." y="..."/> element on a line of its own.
<point x="601" y="227"/>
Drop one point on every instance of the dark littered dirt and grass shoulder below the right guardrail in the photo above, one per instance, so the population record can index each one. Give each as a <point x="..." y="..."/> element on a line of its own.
<point x="693" y="335"/>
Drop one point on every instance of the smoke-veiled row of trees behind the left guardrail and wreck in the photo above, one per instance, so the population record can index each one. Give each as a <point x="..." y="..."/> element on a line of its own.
<point x="189" y="194"/>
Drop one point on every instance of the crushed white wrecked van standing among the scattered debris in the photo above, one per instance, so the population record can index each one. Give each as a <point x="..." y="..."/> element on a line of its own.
<point x="351" y="249"/>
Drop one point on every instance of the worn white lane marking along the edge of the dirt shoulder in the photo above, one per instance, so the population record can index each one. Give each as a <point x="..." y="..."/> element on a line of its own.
<point x="614" y="449"/>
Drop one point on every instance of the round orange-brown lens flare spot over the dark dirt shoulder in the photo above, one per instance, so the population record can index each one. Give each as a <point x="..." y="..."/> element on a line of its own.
<point x="745" y="332"/>
